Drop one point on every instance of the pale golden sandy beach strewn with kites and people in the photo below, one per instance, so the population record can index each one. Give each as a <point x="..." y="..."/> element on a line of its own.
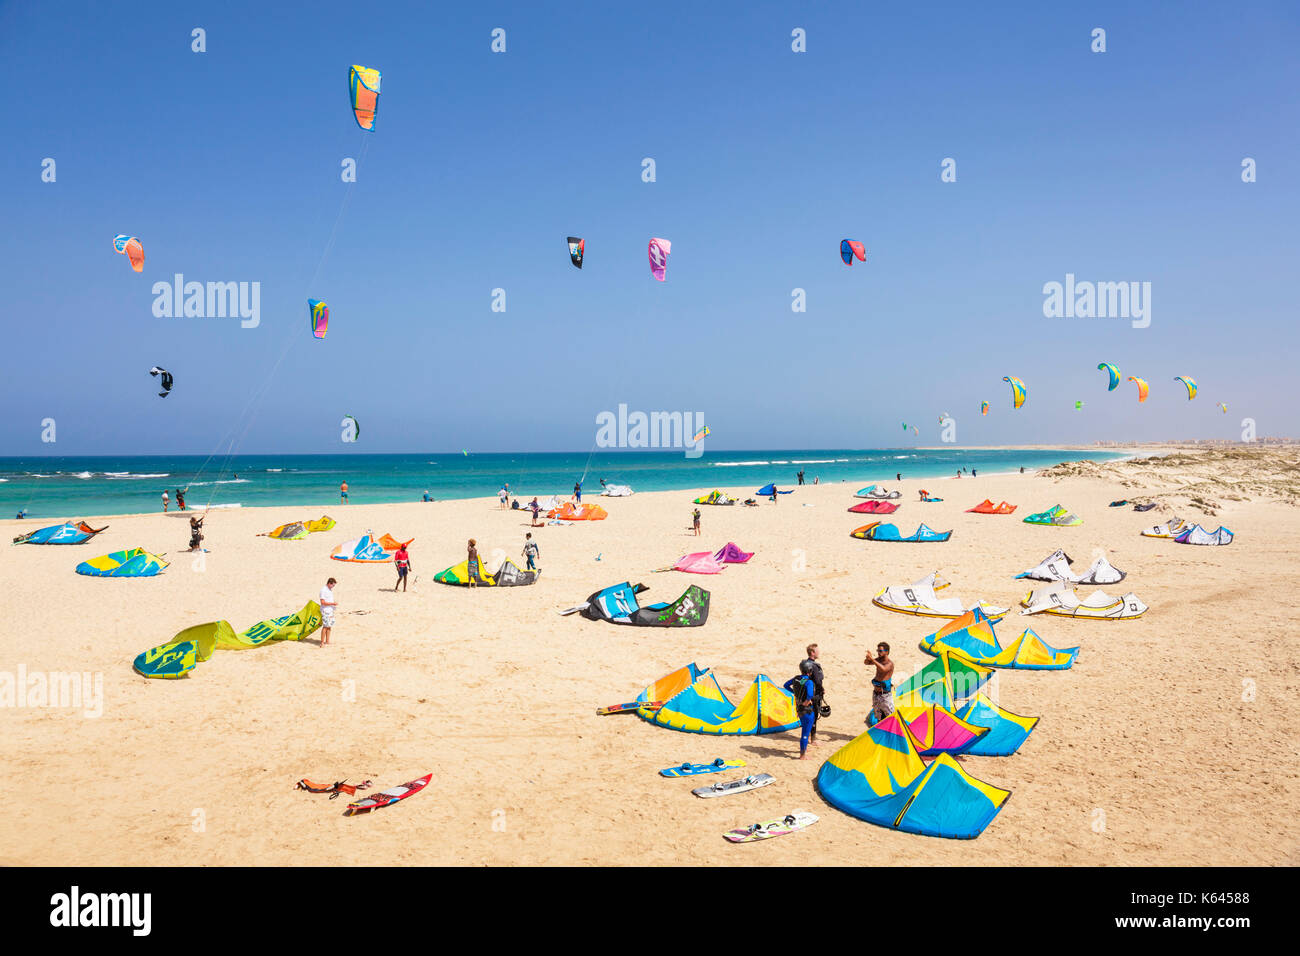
<point x="1172" y="742"/>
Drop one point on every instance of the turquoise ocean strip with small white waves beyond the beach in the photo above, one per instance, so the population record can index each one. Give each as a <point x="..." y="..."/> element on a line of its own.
<point x="51" y="487"/>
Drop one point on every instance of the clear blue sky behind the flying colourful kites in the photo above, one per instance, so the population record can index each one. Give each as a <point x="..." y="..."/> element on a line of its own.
<point x="1121" y="166"/>
